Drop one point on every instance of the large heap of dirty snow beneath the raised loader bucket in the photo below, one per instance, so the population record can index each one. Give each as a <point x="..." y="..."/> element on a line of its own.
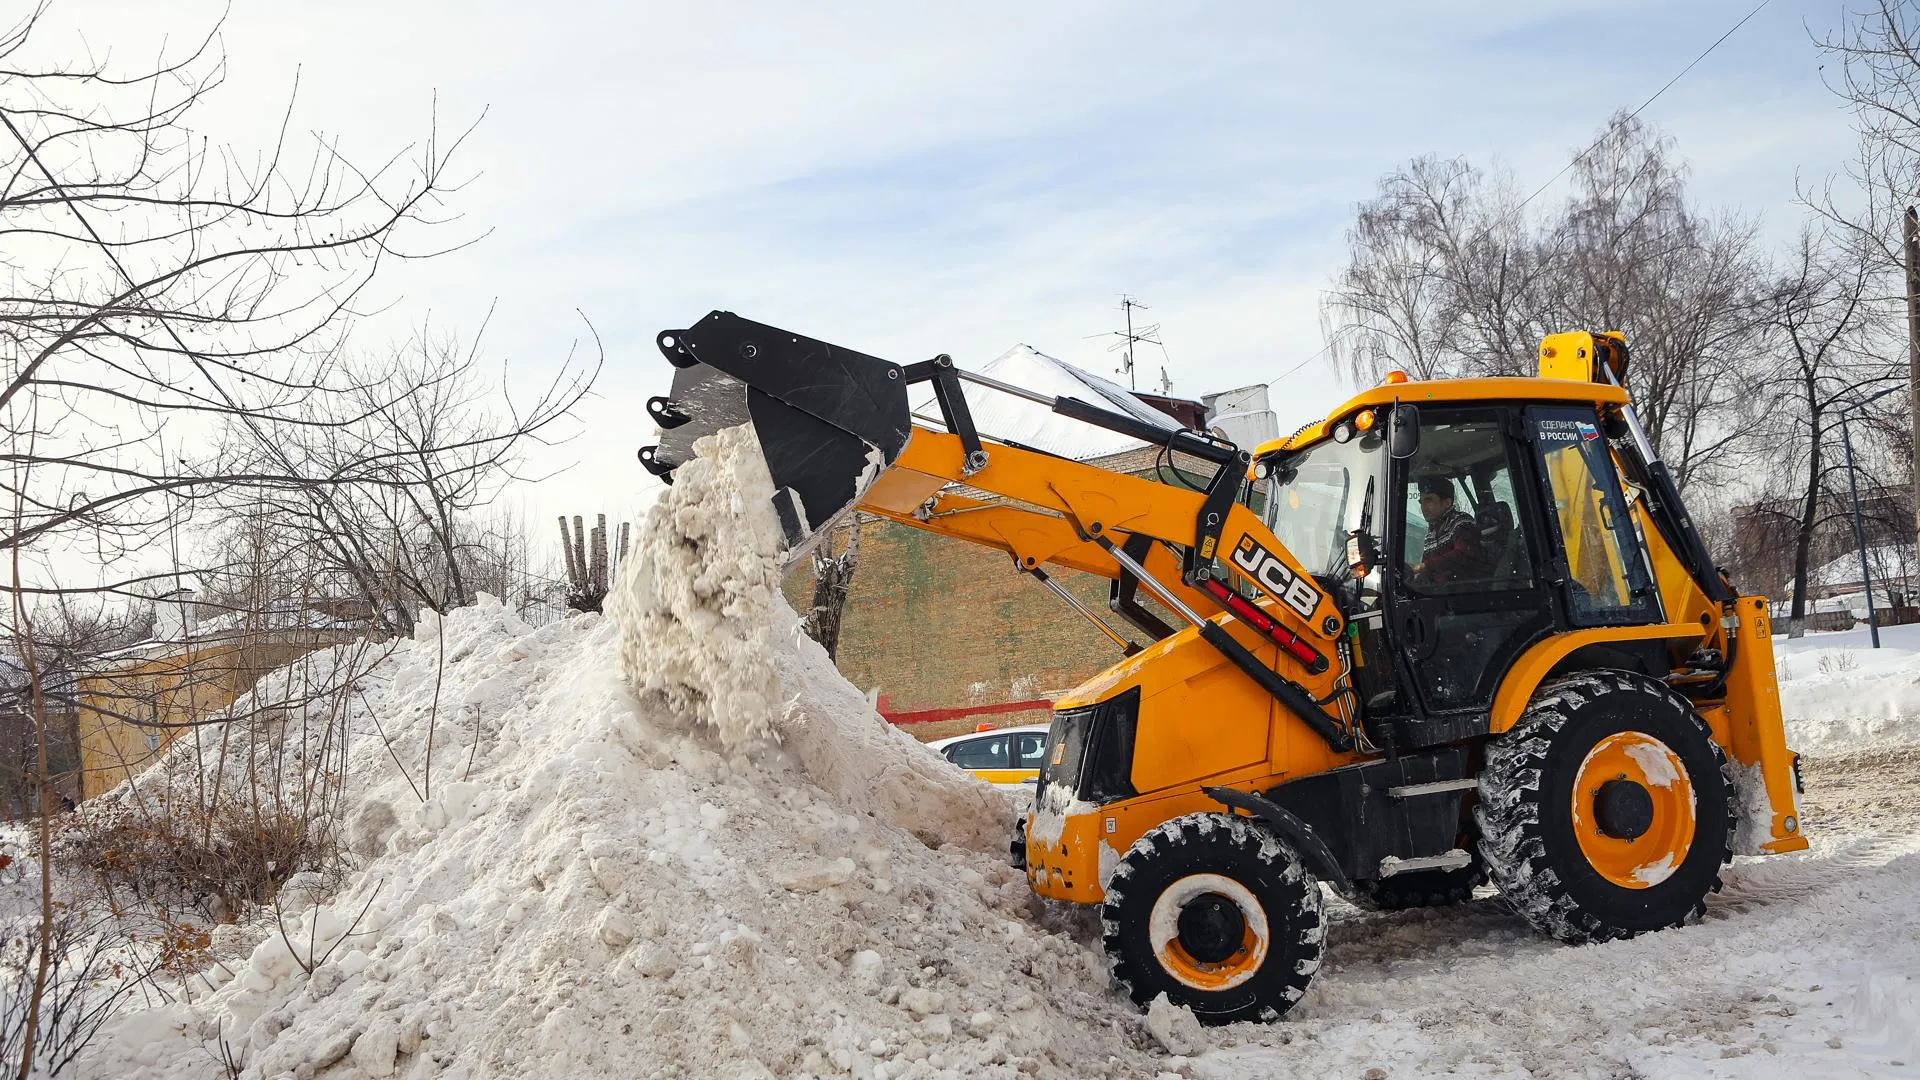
<point x="596" y="883"/>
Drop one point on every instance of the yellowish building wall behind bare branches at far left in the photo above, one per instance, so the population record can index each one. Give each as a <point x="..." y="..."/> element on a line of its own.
<point x="158" y="697"/>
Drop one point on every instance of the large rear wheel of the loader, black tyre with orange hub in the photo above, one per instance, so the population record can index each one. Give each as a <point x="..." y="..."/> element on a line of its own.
<point x="1606" y="812"/>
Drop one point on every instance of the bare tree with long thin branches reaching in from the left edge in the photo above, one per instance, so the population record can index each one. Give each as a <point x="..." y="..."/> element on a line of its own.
<point x="174" y="343"/>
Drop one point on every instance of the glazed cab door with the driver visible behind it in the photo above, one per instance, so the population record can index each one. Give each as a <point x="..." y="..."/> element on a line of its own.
<point x="1468" y="597"/>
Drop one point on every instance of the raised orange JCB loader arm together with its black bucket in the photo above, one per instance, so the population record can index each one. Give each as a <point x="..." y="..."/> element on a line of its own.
<point x="838" y="435"/>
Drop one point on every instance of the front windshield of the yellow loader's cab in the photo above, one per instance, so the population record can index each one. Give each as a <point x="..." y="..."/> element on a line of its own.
<point x="1322" y="495"/>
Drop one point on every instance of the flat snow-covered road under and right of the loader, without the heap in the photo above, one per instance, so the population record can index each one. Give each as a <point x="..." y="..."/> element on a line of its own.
<point x="1806" y="966"/>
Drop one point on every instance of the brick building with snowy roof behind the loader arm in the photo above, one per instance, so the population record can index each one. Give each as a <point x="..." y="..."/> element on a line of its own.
<point x="936" y="624"/>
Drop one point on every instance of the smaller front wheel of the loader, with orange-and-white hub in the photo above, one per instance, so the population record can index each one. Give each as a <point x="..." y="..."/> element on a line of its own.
<point x="1216" y="914"/>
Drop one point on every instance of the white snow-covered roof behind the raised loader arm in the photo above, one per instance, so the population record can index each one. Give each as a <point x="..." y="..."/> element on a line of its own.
<point x="1028" y="424"/>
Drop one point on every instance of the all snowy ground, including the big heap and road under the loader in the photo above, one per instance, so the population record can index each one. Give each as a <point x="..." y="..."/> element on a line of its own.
<point x="615" y="883"/>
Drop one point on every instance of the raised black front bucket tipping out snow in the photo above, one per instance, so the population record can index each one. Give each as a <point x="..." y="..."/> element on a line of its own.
<point x="828" y="420"/>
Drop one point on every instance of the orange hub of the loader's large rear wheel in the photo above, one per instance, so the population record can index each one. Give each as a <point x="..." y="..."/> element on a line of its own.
<point x="1633" y="810"/>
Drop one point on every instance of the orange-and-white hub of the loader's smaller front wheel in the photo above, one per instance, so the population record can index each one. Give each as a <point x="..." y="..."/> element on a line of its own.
<point x="1209" y="931"/>
